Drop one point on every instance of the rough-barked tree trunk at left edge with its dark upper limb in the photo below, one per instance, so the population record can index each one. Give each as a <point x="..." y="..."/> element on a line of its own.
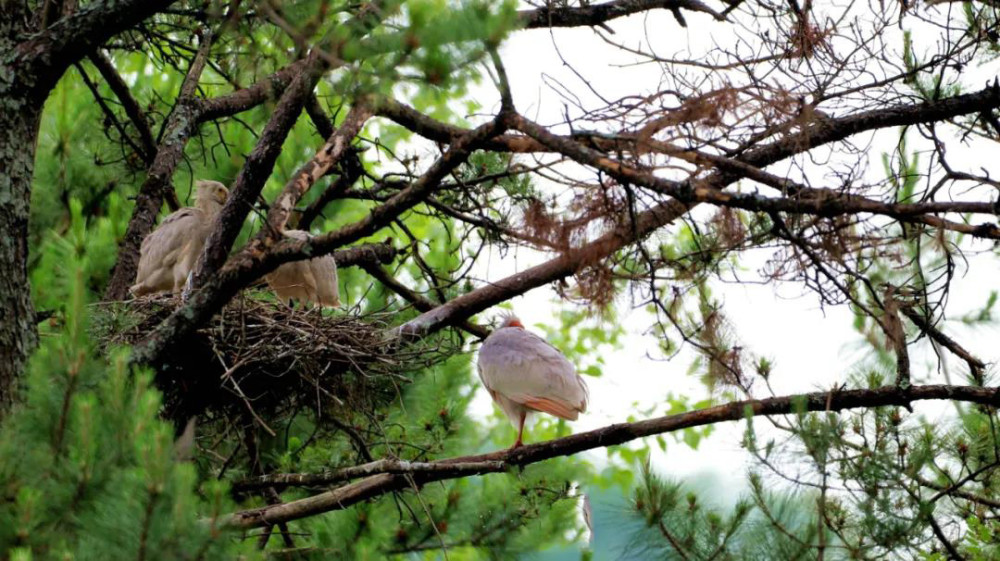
<point x="31" y="62"/>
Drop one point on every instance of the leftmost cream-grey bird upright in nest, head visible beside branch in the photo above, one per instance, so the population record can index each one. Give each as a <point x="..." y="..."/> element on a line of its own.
<point x="171" y="251"/>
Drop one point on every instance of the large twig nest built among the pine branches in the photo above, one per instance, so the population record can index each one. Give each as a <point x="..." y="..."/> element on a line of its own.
<point x="265" y="360"/>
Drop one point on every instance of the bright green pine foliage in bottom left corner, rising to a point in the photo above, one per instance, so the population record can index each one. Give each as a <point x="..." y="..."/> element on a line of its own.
<point x="90" y="471"/>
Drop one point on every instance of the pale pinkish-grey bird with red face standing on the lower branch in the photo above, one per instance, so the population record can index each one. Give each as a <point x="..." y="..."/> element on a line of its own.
<point x="523" y="373"/>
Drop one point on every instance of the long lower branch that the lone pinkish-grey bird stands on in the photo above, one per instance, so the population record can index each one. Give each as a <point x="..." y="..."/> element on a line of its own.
<point x="398" y="477"/>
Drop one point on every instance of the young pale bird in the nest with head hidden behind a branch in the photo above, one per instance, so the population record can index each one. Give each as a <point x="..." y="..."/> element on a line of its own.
<point x="311" y="281"/>
